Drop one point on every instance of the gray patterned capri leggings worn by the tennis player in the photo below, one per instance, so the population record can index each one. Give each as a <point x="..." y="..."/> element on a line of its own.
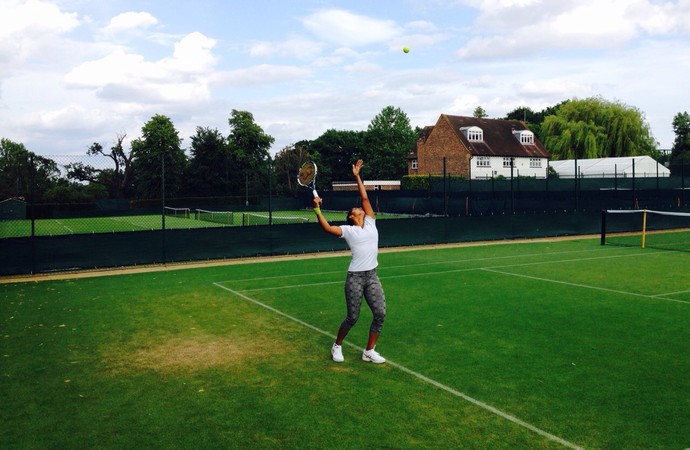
<point x="364" y="284"/>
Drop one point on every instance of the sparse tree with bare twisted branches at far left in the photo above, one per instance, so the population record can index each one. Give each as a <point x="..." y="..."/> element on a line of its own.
<point x="117" y="180"/>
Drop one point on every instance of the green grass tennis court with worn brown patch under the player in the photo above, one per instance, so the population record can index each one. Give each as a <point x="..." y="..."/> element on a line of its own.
<point x="544" y="344"/>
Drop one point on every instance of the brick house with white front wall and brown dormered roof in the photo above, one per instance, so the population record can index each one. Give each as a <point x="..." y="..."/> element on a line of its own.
<point x="478" y="148"/>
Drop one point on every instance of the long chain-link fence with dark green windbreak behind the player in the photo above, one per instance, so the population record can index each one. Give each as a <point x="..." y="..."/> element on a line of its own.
<point x="77" y="212"/>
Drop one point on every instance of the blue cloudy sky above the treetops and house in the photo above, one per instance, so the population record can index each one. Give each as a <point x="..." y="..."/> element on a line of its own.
<point x="75" y="72"/>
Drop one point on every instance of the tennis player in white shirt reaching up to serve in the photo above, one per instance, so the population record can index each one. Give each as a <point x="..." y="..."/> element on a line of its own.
<point x="362" y="280"/>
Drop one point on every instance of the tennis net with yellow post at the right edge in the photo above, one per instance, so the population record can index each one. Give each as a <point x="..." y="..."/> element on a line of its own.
<point x="646" y="229"/>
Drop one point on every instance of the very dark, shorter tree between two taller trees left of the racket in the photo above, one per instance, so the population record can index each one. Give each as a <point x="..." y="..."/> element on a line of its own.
<point x="208" y="173"/>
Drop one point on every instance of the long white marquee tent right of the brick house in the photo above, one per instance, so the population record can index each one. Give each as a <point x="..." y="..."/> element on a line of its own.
<point x="644" y="166"/>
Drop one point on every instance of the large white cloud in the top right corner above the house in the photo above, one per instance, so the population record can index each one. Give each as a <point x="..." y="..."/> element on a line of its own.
<point x="518" y="28"/>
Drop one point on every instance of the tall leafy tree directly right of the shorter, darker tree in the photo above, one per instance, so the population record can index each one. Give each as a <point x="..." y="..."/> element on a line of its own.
<point x="249" y="152"/>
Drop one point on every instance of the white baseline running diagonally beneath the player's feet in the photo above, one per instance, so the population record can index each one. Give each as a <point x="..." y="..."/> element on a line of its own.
<point x="417" y="375"/>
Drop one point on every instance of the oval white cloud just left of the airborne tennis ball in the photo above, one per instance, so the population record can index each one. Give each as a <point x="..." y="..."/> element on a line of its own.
<point x="348" y="29"/>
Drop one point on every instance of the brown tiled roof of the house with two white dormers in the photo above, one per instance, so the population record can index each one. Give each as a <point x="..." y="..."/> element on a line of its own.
<point x="499" y="139"/>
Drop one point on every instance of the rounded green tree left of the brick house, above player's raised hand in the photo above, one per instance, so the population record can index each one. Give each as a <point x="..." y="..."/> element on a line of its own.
<point x="389" y="139"/>
